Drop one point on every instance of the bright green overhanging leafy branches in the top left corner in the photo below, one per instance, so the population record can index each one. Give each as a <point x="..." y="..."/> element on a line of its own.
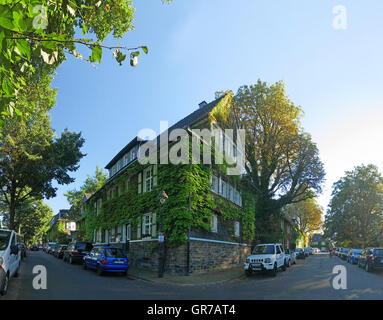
<point x="38" y="32"/>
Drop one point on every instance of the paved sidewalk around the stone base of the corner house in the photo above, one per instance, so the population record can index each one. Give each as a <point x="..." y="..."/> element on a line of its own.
<point x="211" y="277"/>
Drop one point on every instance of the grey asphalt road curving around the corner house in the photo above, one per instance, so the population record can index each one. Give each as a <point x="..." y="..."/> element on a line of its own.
<point x="309" y="279"/>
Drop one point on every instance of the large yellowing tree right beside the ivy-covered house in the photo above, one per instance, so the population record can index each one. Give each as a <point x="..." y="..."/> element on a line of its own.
<point x="282" y="163"/>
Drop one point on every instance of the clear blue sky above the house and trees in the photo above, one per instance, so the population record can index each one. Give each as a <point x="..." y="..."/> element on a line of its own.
<point x="199" y="47"/>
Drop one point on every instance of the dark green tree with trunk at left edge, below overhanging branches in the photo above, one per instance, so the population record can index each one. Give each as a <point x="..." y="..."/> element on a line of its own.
<point x="31" y="156"/>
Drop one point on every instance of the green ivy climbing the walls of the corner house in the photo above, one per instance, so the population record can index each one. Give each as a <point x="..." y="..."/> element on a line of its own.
<point x="190" y="203"/>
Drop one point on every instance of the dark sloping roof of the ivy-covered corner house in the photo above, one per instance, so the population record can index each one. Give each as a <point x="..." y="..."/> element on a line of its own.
<point x="195" y="116"/>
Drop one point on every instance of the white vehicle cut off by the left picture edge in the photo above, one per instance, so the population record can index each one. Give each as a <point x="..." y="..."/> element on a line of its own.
<point x="10" y="257"/>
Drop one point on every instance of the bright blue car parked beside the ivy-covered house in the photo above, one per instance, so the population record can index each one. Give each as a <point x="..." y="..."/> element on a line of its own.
<point x="107" y="259"/>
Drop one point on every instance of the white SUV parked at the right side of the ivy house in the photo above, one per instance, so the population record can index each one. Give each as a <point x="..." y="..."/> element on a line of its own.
<point x="266" y="257"/>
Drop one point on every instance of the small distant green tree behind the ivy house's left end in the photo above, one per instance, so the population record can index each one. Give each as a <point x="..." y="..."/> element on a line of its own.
<point x="91" y="185"/>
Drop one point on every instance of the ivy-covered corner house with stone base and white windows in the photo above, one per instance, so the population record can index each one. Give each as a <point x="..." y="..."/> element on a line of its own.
<point x="208" y="217"/>
